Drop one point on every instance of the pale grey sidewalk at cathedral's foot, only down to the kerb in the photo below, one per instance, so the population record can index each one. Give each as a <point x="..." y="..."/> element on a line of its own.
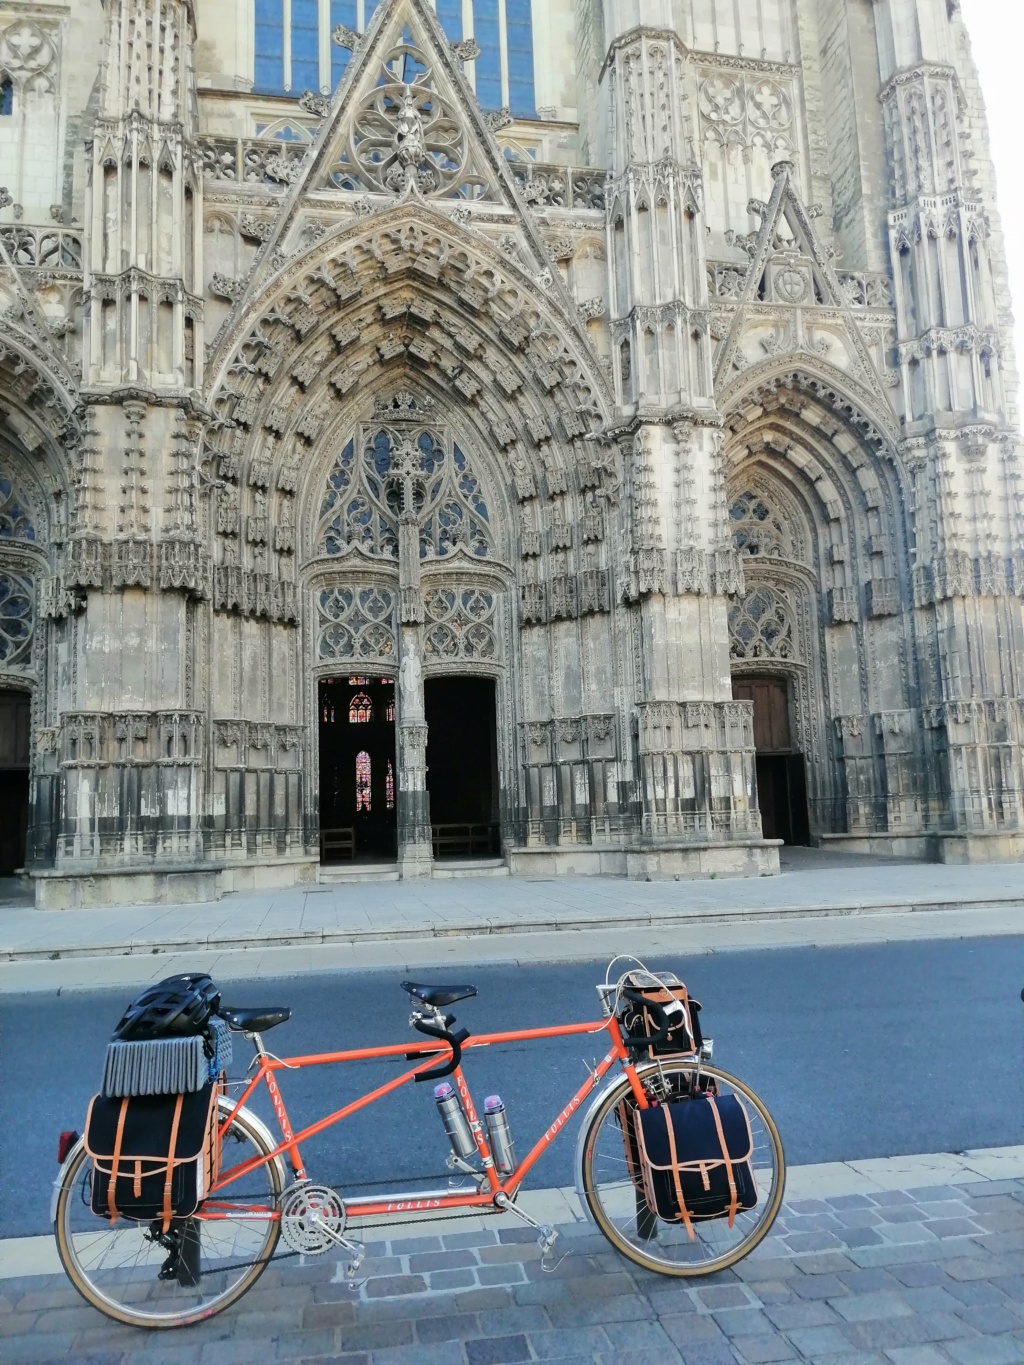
<point x="487" y="907"/>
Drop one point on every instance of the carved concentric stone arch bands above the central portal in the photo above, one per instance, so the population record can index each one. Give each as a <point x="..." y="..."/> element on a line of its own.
<point x="409" y="298"/>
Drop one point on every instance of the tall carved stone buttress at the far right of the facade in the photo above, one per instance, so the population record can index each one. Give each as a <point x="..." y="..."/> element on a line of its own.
<point x="961" y="450"/>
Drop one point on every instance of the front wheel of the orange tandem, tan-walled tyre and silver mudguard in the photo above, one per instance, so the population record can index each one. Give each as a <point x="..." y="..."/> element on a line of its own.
<point x="616" y="1199"/>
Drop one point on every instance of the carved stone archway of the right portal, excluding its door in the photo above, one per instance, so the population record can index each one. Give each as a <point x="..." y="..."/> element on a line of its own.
<point x="817" y="499"/>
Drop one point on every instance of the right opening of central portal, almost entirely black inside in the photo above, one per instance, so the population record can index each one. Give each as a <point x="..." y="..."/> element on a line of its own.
<point x="462" y="766"/>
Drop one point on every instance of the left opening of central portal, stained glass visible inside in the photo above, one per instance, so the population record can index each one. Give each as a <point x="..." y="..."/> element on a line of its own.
<point x="358" y="769"/>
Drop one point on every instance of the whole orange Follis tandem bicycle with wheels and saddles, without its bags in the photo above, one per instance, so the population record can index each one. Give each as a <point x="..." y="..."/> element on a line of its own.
<point x="264" y="1195"/>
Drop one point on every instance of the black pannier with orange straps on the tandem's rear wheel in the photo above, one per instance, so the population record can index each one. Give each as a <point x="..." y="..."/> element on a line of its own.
<point x="155" y="1157"/>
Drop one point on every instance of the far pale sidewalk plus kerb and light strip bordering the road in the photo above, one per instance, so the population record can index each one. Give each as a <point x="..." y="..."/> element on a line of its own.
<point x="821" y="900"/>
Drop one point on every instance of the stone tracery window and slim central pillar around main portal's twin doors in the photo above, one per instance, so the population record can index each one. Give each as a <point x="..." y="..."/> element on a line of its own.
<point x="402" y="574"/>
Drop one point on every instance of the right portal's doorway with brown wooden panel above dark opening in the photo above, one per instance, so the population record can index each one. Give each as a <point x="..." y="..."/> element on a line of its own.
<point x="780" y="769"/>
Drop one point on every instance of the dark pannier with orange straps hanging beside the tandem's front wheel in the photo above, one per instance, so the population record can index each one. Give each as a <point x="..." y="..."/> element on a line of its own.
<point x="696" y="1158"/>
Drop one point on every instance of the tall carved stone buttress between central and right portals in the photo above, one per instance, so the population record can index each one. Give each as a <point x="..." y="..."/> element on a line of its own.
<point x="694" y="743"/>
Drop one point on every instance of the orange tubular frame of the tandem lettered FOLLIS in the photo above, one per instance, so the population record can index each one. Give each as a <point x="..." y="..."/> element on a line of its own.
<point x="429" y="1201"/>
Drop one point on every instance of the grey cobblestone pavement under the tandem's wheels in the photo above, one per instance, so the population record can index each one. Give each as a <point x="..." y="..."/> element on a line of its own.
<point x="895" y="1277"/>
